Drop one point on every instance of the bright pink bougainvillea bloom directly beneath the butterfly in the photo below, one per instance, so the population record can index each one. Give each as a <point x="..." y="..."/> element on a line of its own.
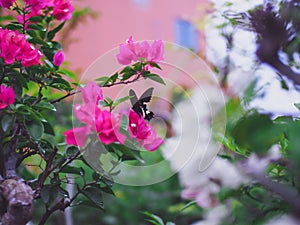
<point x="141" y="130"/>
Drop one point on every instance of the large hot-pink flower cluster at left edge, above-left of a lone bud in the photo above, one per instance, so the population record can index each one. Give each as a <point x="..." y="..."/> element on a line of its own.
<point x="14" y="46"/>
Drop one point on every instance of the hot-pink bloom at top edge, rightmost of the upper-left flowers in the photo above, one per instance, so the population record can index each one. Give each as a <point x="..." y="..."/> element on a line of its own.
<point x="63" y="9"/>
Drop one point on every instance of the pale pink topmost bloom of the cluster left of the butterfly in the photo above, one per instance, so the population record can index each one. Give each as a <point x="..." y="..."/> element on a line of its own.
<point x="91" y="93"/>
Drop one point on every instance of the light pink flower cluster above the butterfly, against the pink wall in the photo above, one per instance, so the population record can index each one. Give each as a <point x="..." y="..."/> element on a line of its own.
<point x="136" y="51"/>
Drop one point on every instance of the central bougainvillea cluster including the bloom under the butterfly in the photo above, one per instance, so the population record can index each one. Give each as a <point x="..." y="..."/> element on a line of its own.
<point x="107" y="125"/>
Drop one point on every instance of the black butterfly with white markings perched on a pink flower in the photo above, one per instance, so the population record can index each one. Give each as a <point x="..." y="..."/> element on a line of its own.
<point x="139" y="105"/>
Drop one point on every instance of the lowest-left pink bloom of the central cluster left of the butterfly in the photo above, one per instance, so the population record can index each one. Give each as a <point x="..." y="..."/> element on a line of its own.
<point x="77" y="136"/>
